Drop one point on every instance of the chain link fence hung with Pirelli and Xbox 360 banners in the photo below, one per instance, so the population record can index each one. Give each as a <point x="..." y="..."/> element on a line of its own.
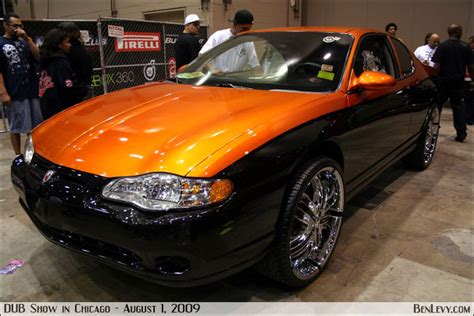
<point x="125" y="53"/>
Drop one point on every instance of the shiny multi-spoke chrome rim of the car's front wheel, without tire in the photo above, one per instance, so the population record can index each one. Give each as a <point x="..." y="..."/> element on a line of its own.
<point x="317" y="222"/>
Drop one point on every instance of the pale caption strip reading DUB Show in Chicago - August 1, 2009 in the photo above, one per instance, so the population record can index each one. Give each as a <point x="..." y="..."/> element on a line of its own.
<point x="237" y="309"/>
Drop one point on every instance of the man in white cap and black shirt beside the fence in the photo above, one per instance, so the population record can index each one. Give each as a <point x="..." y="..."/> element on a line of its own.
<point x="187" y="46"/>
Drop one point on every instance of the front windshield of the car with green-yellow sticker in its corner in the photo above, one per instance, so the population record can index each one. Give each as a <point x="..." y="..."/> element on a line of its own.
<point x="305" y="61"/>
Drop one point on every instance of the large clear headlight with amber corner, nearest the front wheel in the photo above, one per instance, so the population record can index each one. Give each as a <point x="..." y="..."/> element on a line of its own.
<point x="160" y="191"/>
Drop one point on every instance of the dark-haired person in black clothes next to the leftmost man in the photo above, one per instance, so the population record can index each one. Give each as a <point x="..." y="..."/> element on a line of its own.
<point x="59" y="88"/>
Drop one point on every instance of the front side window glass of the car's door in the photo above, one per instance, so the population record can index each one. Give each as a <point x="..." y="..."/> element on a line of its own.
<point x="374" y="54"/>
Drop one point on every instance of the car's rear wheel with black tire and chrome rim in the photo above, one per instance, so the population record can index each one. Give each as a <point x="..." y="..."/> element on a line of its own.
<point x="422" y="156"/>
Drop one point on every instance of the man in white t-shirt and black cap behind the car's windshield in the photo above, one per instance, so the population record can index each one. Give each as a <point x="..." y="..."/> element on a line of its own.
<point x="240" y="57"/>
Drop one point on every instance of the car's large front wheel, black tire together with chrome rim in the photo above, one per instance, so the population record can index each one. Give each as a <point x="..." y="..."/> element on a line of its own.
<point x="307" y="230"/>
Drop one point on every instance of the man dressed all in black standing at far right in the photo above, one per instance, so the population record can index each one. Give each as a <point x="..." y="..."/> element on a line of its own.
<point x="452" y="58"/>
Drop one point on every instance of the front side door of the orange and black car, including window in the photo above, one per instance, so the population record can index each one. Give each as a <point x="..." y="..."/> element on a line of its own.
<point x="379" y="119"/>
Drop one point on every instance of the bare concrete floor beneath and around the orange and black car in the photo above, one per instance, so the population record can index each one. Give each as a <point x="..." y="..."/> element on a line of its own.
<point x="408" y="237"/>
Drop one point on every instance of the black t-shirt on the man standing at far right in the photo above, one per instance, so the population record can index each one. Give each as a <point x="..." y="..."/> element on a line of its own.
<point x="453" y="56"/>
